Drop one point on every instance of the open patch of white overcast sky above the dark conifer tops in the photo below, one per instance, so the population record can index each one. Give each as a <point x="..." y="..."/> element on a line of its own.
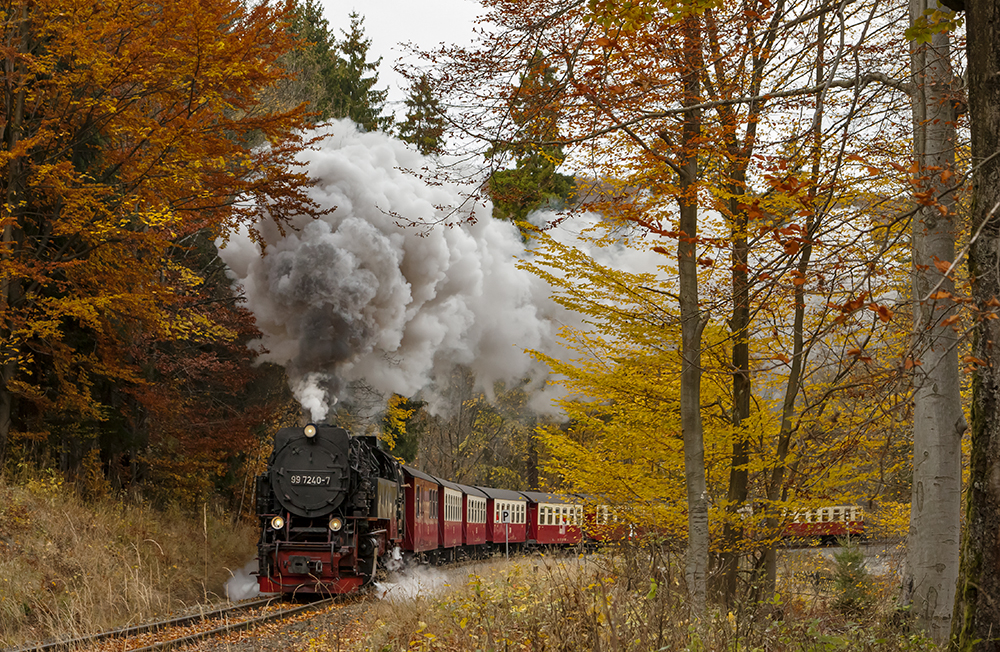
<point x="426" y="23"/>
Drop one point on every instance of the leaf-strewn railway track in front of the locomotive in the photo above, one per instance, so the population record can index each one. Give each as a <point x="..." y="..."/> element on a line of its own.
<point x="176" y="632"/>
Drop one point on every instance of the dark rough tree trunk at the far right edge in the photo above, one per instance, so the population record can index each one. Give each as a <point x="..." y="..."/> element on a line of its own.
<point x="976" y="624"/>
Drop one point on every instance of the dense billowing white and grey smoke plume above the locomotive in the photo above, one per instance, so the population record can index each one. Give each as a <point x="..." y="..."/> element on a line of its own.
<point x="354" y="296"/>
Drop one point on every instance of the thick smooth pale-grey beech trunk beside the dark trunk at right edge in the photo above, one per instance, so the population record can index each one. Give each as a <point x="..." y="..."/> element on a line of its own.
<point x="938" y="424"/>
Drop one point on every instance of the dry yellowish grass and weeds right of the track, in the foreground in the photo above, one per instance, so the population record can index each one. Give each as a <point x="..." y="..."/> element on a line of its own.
<point x="630" y="600"/>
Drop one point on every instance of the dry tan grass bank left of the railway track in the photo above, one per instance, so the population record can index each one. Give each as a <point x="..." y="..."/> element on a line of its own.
<point x="70" y="567"/>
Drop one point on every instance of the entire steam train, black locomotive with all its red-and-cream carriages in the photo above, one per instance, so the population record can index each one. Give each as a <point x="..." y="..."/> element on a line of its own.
<point x="335" y="509"/>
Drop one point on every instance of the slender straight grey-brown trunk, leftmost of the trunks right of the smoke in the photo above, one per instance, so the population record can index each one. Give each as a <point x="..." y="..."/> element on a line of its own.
<point x="692" y="325"/>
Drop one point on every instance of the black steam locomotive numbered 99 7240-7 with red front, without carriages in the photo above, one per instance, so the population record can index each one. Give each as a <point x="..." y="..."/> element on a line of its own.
<point x="330" y="506"/>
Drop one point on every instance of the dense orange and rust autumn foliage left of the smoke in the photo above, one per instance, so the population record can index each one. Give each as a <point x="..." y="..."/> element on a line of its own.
<point x="134" y="136"/>
